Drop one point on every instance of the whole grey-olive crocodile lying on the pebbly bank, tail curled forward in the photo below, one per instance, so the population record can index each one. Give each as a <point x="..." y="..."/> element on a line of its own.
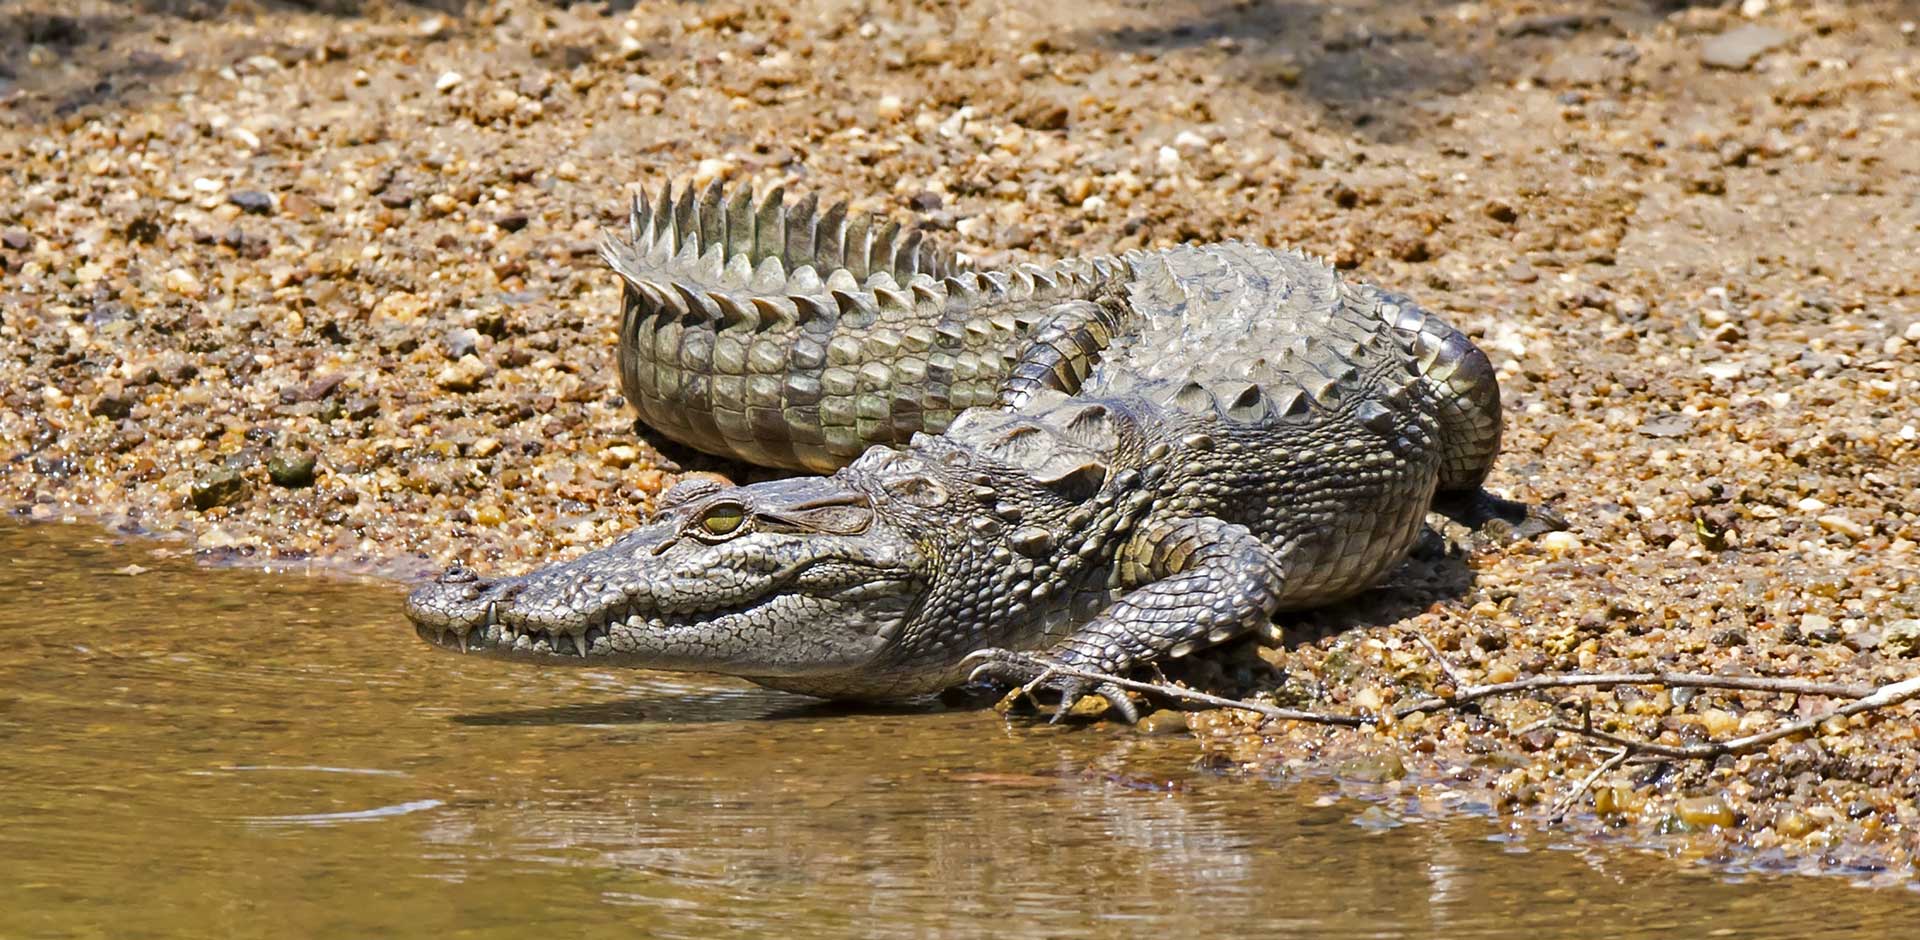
<point x="1095" y="463"/>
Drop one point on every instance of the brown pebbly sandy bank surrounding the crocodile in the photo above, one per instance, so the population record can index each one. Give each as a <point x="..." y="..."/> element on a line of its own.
<point x="318" y="283"/>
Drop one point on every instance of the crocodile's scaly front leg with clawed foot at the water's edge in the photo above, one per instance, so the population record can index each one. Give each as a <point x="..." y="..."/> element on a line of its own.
<point x="1201" y="582"/>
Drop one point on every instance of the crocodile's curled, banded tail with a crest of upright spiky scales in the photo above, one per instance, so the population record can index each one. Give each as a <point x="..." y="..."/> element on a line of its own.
<point x="792" y="337"/>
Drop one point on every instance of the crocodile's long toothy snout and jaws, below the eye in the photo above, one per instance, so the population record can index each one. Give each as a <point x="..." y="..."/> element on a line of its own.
<point x="763" y="609"/>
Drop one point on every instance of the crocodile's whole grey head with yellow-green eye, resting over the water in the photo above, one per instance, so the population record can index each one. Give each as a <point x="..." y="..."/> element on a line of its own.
<point x="790" y="582"/>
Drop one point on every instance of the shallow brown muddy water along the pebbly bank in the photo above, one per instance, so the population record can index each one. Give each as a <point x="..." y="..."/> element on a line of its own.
<point x="214" y="753"/>
